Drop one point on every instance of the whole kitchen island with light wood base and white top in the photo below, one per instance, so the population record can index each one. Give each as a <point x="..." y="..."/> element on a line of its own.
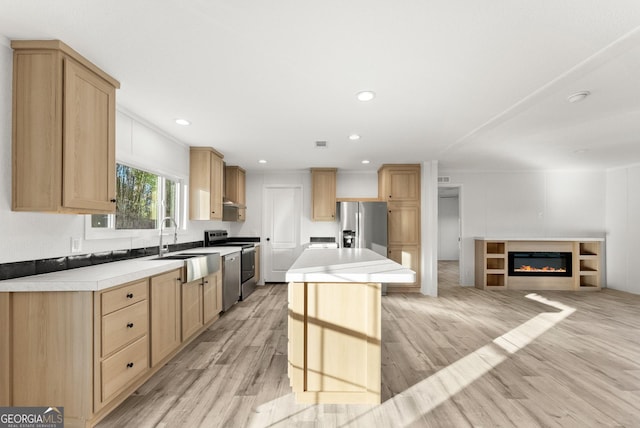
<point x="334" y="324"/>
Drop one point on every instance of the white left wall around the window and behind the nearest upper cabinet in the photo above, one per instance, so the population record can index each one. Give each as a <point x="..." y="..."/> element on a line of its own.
<point x="28" y="236"/>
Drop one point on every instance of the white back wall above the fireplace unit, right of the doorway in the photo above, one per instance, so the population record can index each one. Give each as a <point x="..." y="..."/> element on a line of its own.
<point x="528" y="204"/>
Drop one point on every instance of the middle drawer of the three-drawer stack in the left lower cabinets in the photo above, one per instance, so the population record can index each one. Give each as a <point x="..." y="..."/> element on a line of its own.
<point x="124" y="326"/>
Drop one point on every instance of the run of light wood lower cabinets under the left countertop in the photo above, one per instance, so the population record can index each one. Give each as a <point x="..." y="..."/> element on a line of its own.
<point x="88" y="351"/>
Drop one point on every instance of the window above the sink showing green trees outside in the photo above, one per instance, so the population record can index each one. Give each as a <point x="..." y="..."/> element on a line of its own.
<point x="143" y="198"/>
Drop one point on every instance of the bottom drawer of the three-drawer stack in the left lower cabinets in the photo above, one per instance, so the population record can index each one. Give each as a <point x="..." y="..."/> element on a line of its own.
<point x="123" y="367"/>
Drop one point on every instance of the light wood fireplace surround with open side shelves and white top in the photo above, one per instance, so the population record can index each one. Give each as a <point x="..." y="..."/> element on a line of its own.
<point x="492" y="263"/>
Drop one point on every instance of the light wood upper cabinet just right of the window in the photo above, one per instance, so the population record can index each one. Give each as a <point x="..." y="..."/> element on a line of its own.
<point x="206" y="181"/>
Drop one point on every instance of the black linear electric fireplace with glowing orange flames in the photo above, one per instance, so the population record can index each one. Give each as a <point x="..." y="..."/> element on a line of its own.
<point x="539" y="263"/>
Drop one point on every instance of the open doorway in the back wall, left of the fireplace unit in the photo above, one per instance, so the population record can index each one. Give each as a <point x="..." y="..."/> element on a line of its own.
<point x="449" y="235"/>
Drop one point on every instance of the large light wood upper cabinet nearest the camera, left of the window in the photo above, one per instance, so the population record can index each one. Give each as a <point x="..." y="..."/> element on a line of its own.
<point x="63" y="149"/>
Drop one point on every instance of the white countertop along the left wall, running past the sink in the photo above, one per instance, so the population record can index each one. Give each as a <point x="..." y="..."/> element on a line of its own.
<point x="103" y="276"/>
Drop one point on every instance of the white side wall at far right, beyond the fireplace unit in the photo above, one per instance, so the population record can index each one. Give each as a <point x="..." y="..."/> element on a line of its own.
<point x="623" y="229"/>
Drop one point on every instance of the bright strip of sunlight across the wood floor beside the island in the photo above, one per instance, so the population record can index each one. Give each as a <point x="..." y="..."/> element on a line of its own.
<point x="425" y="396"/>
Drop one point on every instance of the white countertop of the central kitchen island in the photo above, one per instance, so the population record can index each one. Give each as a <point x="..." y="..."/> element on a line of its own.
<point x="347" y="265"/>
